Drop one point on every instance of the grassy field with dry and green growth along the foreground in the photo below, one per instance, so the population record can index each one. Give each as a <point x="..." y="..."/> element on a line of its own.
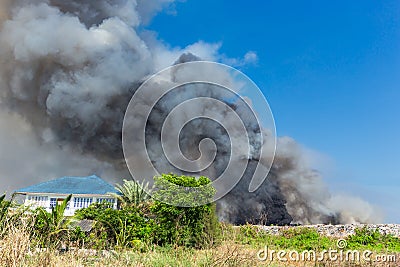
<point x="238" y="247"/>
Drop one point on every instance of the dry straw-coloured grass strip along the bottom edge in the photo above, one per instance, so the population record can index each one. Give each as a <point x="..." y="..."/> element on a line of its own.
<point x="16" y="249"/>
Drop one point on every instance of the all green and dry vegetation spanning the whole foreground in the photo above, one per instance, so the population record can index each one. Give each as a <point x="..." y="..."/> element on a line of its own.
<point x="152" y="233"/>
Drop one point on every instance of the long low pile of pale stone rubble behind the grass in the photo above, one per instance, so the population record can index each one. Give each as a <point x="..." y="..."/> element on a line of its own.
<point x="341" y="230"/>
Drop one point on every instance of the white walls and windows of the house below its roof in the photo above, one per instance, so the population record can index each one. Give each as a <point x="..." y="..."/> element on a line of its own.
<point x="77" y="202"/>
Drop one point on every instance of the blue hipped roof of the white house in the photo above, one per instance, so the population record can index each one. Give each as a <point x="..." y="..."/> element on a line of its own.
<point x="72" y="185"/>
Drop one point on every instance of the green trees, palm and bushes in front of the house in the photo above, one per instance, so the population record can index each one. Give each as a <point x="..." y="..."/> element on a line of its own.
<point x="139" y="224"/>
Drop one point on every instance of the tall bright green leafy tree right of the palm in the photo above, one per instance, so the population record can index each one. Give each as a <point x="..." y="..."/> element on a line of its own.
<point x="186" y="226"/>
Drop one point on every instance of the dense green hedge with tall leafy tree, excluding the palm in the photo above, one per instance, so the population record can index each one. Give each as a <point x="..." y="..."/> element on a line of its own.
<point x="154" y="222"/>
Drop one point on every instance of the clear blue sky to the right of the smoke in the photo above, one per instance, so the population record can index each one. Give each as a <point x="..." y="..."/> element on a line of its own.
<point x="330" y="71"/>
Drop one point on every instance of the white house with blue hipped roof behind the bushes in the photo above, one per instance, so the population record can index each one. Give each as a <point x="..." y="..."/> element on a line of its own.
<point x="84" y="190"/>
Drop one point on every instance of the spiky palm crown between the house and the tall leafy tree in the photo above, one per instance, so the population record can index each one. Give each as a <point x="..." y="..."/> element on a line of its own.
<point x="133" y="193"/>
